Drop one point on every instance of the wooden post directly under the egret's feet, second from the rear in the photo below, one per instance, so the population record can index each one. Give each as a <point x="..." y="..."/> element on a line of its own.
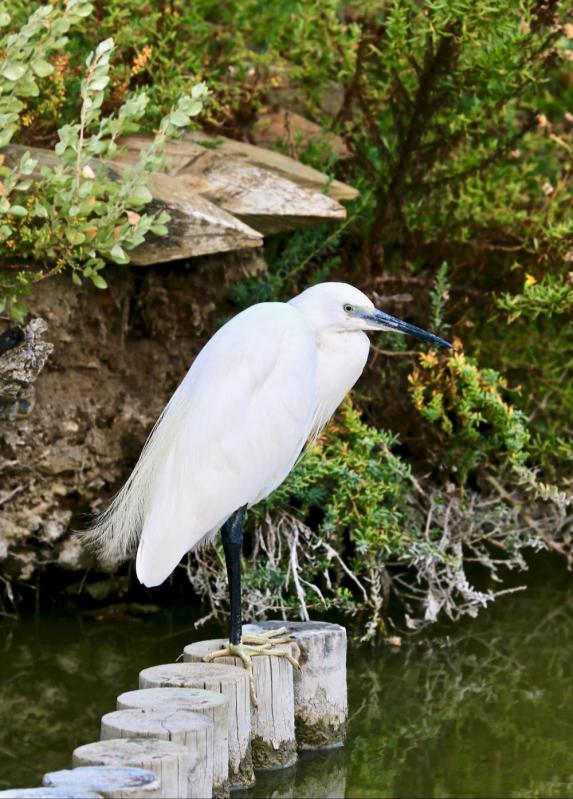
<point x="272" y="723"/>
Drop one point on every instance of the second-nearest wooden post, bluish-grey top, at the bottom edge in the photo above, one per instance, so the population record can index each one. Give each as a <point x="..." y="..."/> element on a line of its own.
<point x="111" y="783"/>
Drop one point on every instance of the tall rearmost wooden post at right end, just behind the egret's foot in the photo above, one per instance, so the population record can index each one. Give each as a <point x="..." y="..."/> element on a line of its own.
<point x="320" y="696"/>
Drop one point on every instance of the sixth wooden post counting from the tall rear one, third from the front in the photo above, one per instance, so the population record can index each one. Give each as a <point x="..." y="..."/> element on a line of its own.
<point x="168" y="760"/>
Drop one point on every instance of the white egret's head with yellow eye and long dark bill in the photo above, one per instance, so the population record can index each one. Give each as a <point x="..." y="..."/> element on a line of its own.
<point x="343" y="308"/>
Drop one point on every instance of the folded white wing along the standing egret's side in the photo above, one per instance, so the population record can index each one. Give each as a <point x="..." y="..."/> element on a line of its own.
<point x="230" y="434"/>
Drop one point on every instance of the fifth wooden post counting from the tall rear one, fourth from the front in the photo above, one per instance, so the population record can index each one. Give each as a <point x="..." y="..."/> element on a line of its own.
<point x="193" y="731"/>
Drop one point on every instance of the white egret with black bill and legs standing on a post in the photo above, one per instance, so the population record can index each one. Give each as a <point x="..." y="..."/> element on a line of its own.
<point x="265" y="383"/>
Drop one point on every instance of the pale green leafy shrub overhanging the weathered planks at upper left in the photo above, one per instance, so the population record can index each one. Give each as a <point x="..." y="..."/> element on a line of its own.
<point x="75" y="215"/>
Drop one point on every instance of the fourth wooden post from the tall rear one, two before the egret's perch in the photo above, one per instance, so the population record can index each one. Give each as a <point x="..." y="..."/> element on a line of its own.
<point x="209" y="703"/>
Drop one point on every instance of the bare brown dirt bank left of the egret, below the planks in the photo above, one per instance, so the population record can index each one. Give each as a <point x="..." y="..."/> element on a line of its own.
<point x="118" y="355"/>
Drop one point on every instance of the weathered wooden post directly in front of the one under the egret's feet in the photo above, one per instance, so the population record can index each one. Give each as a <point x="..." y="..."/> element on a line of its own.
<point x="230" y="681"/>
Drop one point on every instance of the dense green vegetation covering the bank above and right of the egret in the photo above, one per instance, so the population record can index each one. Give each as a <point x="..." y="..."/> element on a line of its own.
<point x="457" y="118"/>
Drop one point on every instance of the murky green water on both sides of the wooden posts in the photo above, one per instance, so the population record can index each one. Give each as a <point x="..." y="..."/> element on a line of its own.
<point x="482" y="709"/>
